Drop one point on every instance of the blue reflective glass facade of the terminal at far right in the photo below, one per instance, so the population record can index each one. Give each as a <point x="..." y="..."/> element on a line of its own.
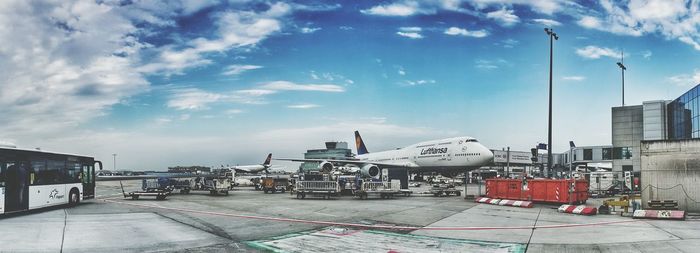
<point x="684" y="115"/>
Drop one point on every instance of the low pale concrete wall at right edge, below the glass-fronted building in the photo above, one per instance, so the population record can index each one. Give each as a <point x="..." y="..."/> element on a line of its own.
<point x="671" y="170"/>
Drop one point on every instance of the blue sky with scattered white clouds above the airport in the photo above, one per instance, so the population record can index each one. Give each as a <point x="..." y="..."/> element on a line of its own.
<point x="225" y="82"/>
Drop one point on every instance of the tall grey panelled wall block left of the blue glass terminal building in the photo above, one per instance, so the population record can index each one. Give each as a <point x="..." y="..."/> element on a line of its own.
<point x="627" y="131"/>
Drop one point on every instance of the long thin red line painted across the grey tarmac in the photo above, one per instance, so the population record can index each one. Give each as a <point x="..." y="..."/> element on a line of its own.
<point x="366" y="226"/>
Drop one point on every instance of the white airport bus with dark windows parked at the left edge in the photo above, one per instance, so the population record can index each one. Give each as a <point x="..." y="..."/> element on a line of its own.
<point x="31" y="179"/>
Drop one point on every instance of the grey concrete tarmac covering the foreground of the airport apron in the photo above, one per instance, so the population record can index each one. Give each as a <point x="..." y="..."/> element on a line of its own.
<point x="199" y="222"/>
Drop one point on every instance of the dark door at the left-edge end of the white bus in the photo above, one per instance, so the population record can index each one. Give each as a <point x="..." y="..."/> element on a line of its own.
<point x="16" y="174"/>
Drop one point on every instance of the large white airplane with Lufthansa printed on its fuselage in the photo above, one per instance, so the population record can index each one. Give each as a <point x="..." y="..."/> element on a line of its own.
<point x="449" y="157"/>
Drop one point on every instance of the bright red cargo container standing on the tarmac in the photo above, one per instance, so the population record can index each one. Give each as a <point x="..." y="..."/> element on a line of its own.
<point x="538" y="190"/>
